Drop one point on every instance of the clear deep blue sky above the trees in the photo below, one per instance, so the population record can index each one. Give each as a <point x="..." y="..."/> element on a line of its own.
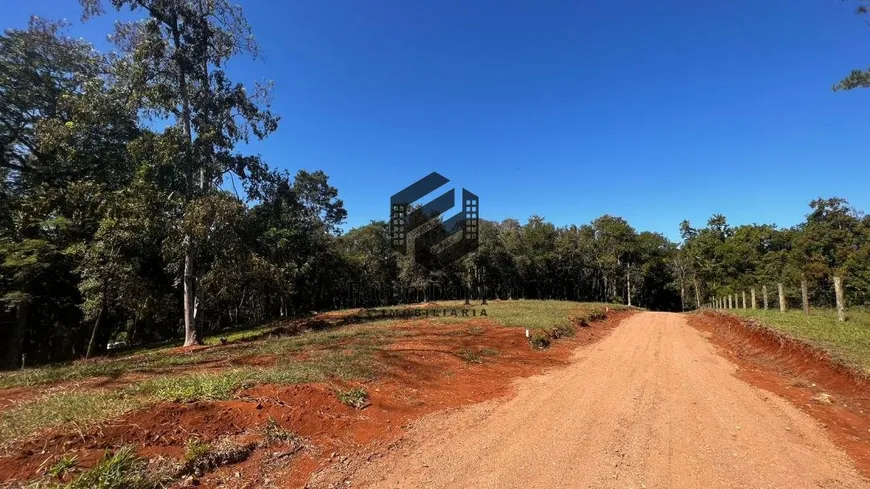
<point x="653" y="111"/>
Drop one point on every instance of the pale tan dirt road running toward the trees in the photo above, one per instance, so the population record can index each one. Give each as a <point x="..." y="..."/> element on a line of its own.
<point x="652" y="405"/>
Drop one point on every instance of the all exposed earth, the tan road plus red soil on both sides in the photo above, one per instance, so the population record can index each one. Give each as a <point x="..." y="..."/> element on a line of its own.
<point x="637" y="400"/>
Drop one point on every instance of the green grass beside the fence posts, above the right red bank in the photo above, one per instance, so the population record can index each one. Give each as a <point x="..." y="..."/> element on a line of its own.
<point x="847" y="343"/>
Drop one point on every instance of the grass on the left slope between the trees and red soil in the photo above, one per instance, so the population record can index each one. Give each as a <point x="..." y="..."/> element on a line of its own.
<point x="334" y="352"/>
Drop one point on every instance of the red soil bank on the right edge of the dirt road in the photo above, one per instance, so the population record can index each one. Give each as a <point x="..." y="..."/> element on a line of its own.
<point x="797" y="372"/>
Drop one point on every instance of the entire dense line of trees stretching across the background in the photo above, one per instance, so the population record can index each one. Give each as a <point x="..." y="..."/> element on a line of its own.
<point x="118" y="220"/>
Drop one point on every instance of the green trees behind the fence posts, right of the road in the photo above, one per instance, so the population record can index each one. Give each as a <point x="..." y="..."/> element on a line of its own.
<point x="833" y="241"/>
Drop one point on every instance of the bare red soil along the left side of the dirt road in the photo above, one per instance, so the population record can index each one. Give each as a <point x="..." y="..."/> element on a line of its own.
<point x="424" y="373"/>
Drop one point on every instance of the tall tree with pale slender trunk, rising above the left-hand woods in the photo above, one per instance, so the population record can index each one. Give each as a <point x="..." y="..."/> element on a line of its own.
<point x="175" y="67"/>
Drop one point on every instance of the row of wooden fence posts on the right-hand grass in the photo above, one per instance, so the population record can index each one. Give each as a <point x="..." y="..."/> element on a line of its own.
<point x="777" y="298"/>
